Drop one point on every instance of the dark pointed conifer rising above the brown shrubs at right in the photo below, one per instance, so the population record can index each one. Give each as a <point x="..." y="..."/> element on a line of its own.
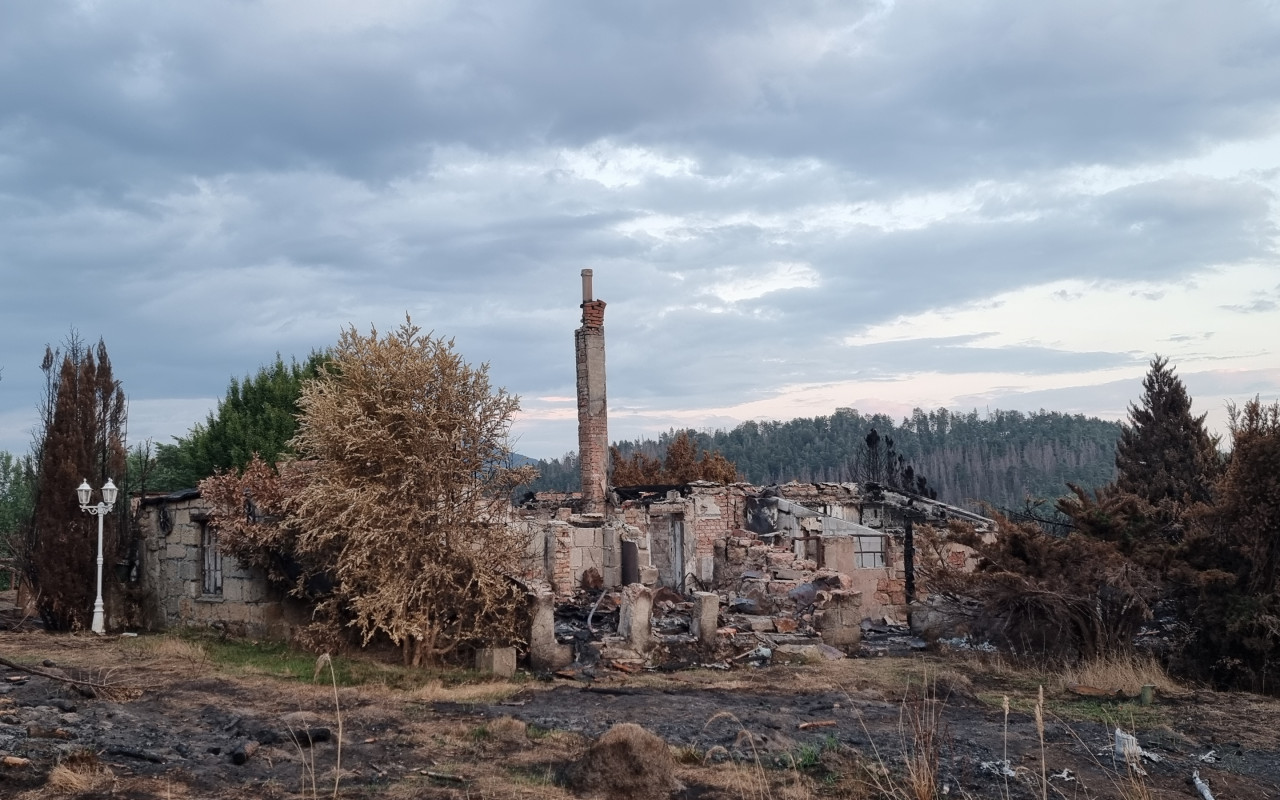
<point x="1164" y="454"/>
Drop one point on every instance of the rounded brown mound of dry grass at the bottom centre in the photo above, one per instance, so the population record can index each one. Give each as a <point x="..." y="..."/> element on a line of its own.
<point x="628" y="762"/>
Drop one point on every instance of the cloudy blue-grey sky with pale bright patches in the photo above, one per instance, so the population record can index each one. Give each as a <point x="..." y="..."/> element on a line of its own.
<point x="789" y="207"/>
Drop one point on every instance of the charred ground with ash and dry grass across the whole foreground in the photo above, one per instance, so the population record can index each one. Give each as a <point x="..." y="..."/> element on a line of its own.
<point x="819" y="730"/>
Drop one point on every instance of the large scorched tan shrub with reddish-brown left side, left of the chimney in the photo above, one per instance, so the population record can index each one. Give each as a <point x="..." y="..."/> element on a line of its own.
<point x="394" y="520"/>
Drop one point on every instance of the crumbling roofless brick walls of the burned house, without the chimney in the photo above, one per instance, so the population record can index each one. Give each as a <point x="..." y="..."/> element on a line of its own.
<point x="817" y="529"/>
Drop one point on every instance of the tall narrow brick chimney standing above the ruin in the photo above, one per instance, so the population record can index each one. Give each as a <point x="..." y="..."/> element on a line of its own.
<point x="593" y="423"/>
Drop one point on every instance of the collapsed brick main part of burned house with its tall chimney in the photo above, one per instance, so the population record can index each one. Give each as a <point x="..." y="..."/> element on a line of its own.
<point x="776" y="552"/>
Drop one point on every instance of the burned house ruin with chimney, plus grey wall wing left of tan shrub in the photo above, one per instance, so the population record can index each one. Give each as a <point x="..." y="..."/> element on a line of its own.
<point x="769" y="557"/>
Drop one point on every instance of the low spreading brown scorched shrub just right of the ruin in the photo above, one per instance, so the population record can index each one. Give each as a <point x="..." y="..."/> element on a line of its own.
<point x="1041" y="596"/>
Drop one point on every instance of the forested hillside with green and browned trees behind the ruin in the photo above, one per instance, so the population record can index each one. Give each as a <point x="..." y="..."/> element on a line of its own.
<point x="1003" y="458"/>
